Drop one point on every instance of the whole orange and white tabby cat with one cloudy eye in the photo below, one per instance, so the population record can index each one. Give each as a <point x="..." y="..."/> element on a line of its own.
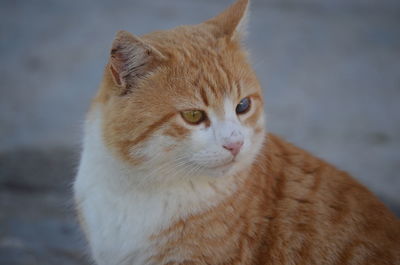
<point x="177" y="168"/>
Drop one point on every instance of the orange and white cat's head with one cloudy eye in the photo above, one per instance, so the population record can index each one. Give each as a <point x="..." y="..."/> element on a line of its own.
<point x="184" y="102"/>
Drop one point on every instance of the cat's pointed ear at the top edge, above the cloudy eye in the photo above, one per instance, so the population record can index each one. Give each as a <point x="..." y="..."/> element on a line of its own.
<point x="232" y="22"/>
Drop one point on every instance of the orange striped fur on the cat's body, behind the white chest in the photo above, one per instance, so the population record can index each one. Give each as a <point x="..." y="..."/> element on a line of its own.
<point x="292" y="208"/>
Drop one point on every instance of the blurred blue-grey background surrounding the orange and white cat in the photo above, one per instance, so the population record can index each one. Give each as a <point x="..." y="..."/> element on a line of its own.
<point x="330" y="69"/>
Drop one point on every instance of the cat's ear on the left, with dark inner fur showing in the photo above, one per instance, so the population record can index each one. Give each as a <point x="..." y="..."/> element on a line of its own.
<point x="131" y="58"/>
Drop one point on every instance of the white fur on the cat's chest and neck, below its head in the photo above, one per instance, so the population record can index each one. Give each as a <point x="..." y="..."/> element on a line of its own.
<point x="119" y="217"/>
